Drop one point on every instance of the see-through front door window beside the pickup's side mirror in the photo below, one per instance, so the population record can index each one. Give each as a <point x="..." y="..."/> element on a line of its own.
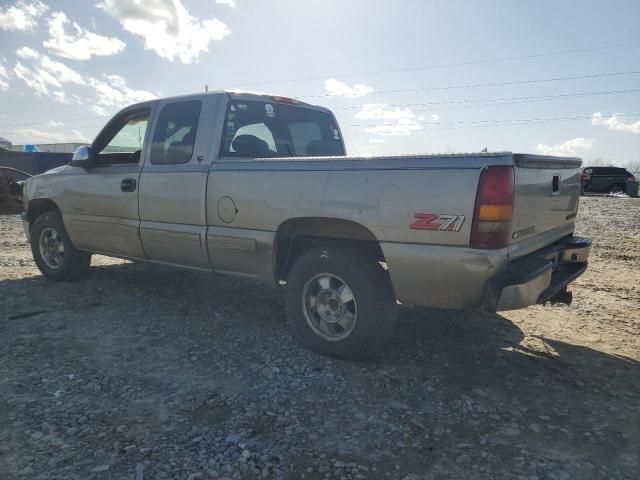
<point x="126" y="144"/>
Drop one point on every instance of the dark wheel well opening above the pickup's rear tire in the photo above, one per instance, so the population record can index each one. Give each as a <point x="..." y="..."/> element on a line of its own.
<point x="296" y="236"/>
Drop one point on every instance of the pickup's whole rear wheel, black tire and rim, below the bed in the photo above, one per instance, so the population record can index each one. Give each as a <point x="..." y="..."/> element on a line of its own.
<point x="373" y="306"/>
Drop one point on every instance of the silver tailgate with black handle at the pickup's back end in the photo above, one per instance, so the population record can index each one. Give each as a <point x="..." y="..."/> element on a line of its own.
<point x="547" y="192"/>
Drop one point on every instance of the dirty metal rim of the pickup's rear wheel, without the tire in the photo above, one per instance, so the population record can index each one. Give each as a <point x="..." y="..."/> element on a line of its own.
<point x="329" y="307"/>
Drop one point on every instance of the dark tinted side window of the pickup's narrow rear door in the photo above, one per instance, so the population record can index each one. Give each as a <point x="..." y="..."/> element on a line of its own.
<point x="175" y="135"/>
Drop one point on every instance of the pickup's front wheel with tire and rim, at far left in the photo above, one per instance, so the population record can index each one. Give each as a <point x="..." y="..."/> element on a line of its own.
<point x="53" y="252"/>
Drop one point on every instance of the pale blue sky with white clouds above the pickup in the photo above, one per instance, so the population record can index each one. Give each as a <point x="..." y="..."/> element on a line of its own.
<point x="406" y="76"/>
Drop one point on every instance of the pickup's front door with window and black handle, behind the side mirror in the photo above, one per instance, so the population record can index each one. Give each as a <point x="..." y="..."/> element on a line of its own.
<point x="103" y="214"/>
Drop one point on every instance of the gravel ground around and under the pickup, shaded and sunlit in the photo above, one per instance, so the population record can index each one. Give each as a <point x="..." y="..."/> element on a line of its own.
<point x="143" y="372"/>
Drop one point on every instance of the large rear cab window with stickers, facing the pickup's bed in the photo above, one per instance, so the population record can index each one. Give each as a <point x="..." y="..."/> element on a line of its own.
<point x="261" y="129"/>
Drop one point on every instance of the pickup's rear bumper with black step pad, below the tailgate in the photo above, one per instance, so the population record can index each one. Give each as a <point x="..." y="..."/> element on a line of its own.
<point x="538" y="277"/>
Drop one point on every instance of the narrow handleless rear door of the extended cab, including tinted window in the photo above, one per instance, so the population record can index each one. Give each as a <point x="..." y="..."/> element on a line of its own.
<point x="173" y="183"/>
